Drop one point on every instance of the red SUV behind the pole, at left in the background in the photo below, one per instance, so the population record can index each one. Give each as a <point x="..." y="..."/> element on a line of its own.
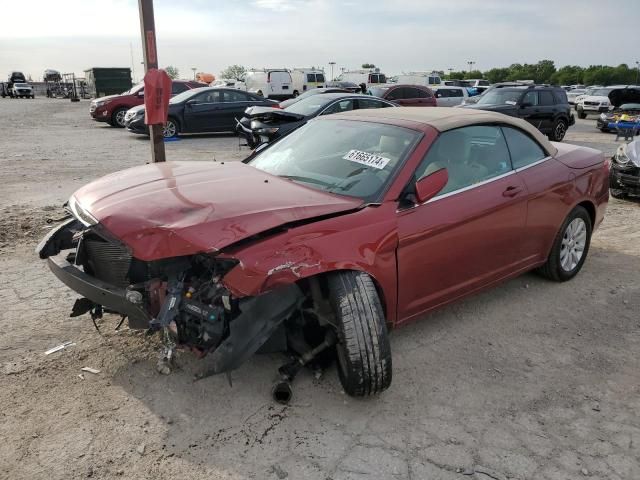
<point x="112" y="108"/>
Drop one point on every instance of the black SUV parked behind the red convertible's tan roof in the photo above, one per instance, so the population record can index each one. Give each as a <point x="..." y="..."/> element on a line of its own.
<point x="545" y="107"/>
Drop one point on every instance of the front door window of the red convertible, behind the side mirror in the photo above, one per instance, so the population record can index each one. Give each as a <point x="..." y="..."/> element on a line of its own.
<point x="470" y="155"/>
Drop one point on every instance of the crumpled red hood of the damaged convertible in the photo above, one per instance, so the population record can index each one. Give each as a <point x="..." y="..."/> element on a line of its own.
<point x="172" y="209"/>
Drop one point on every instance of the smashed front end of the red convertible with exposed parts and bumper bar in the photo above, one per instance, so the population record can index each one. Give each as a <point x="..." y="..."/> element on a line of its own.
<point x="183" y="298"/>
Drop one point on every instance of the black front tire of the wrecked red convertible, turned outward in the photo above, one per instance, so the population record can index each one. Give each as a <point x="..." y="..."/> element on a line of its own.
<point x="364" y="353"/>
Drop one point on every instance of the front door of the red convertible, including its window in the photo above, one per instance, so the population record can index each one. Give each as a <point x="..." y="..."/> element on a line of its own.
<point x="469" y="234"/>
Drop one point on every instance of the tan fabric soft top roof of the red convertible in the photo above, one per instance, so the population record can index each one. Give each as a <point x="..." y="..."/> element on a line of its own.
<point x="448" y="118"/>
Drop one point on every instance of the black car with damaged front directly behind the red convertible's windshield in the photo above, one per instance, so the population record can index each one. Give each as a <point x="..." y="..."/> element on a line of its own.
<point x="264" y="125"/>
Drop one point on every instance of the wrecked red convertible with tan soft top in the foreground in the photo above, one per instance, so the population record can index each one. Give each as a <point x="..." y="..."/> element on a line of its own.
<point x="319" y="243"/>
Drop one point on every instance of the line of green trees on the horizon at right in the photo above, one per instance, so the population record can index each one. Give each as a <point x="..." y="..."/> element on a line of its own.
<point x="545" y="71"/>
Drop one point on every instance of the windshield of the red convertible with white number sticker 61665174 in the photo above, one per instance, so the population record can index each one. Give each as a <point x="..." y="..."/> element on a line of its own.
<point x="357" y="159"/>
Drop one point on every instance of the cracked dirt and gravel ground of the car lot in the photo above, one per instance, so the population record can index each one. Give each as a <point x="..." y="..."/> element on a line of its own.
<point x="532" y="380"/>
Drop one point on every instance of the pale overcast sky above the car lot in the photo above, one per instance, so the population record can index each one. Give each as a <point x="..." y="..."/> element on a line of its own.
<point x="401" y="35"/>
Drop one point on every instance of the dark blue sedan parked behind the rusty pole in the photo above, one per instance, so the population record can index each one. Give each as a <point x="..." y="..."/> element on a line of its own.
<point x="201" y="110"/>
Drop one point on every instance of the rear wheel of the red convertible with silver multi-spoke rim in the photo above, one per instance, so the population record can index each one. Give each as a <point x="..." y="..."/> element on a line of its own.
<point x="570" y="247"/>
